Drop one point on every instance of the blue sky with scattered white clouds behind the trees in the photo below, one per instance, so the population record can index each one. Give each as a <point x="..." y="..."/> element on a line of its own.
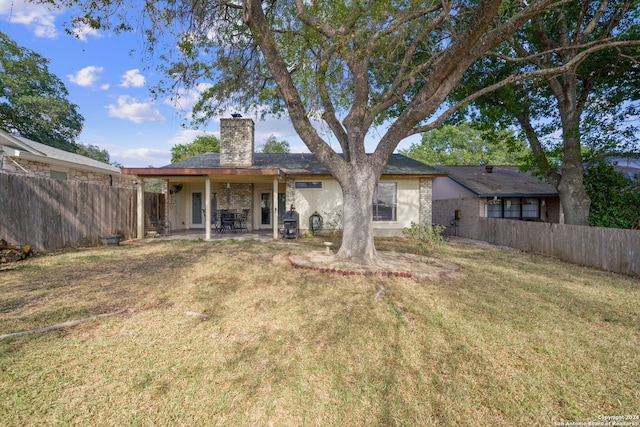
<point x="108" y="81"/>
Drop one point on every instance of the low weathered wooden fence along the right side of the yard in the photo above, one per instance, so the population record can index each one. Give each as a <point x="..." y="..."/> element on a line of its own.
<point x="611" y="249"/>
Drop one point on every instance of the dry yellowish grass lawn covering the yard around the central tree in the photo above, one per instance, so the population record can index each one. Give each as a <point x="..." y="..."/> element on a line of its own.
<point x="521" y="340"/>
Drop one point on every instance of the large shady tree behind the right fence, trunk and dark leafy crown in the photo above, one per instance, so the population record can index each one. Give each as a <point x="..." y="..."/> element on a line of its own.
<point x="594" y="44"/>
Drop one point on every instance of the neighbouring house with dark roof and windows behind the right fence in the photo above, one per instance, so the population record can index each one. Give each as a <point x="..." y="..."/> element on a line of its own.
<point x="472" y="192"/>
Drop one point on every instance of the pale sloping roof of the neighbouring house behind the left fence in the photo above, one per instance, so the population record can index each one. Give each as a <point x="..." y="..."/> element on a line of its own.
<point x="15" y="146"/>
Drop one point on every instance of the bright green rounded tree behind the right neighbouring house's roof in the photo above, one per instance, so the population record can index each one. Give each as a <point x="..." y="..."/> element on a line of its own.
<point x="465" y="144"/>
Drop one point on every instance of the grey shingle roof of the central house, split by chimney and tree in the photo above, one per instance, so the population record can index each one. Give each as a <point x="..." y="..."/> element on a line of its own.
<point x="303" y="164"/>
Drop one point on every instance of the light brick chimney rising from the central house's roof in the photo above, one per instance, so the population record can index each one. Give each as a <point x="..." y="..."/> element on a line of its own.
<point x="236" y="142"/>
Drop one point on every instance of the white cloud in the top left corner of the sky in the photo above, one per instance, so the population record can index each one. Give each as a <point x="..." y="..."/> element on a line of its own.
<point x="39" y="18"/>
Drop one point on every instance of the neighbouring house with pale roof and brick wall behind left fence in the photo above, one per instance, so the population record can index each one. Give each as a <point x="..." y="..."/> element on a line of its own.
<point x="21" y="156"/>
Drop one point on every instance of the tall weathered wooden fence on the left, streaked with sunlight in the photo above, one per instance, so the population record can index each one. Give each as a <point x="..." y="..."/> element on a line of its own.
<point x="49" y="214"/>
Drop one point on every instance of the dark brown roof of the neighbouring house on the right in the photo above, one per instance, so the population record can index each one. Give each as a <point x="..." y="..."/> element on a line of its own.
<point x="502" y="181"/>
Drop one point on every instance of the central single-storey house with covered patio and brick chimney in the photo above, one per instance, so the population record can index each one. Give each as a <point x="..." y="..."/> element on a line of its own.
<point x="265" y="186"/>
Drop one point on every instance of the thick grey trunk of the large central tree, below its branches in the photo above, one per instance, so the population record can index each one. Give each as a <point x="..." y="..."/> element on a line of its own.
<point x="357" y="219"/>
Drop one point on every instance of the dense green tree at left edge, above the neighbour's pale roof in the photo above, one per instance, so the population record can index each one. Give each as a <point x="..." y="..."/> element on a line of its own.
<point x="33" y="102"/>
